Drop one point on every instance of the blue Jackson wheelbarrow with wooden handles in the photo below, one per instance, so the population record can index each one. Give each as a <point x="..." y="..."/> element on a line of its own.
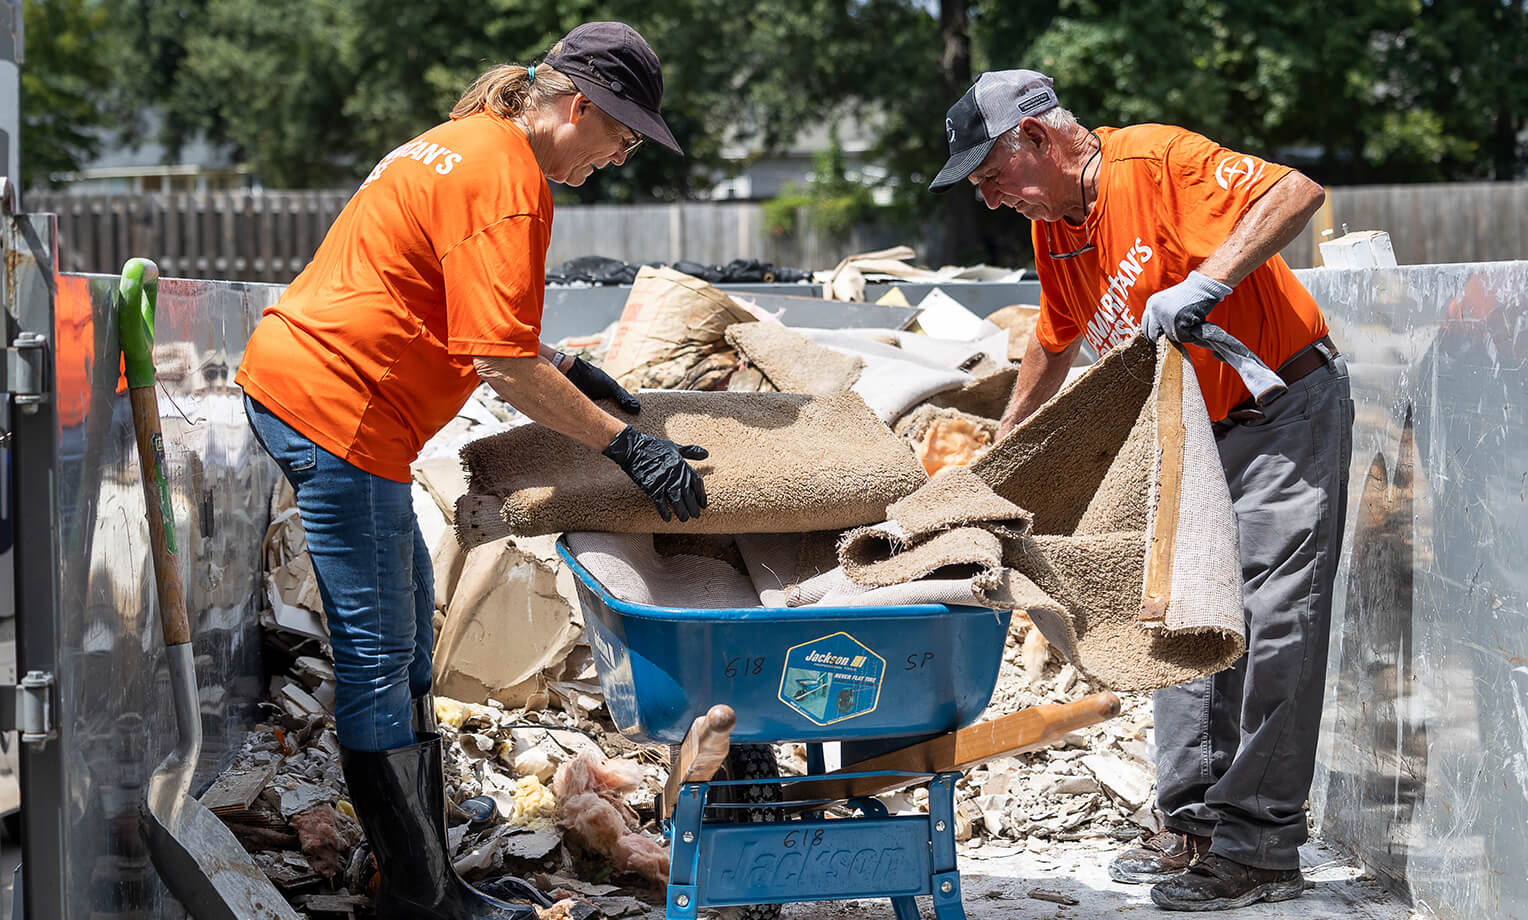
<point x="896" y="687"/>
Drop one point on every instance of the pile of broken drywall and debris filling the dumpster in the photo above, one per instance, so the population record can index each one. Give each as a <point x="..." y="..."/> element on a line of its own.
<point x="539" y="783"/>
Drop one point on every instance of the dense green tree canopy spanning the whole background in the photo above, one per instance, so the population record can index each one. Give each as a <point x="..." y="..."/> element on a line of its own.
<point x="311" y="92"/>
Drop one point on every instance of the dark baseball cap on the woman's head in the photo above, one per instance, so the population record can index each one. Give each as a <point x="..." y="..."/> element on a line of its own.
<point x="618" y="71"/>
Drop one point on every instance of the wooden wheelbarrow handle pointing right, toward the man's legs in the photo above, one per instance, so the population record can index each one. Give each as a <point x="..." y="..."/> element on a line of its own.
<point x="1018" y="733"/>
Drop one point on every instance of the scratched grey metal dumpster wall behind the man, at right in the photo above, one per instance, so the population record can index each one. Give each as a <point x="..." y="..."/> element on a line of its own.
<point x="1425" y="756"/>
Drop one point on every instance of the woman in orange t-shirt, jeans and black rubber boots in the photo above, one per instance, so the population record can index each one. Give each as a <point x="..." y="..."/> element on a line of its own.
<point x="430" y="282"/>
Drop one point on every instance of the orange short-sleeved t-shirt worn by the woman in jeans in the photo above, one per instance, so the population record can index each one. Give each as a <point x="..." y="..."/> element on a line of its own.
<point x="438" y="259"/>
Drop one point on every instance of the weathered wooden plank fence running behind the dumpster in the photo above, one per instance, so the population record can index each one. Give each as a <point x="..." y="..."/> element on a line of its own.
<point x="271" y="236"/>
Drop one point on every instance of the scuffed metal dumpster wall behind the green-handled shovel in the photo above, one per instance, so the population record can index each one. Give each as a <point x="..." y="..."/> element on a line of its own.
<point x="114" y="696"/>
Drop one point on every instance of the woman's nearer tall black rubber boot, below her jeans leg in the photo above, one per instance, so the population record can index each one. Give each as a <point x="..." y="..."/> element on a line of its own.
<point x="400" y="797"/>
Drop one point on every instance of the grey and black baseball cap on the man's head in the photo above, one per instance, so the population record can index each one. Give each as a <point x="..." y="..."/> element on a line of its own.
<point x="991" y="108"/>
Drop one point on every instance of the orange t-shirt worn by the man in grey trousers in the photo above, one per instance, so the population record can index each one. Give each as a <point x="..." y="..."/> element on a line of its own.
<point x="1168" y="199"/>
